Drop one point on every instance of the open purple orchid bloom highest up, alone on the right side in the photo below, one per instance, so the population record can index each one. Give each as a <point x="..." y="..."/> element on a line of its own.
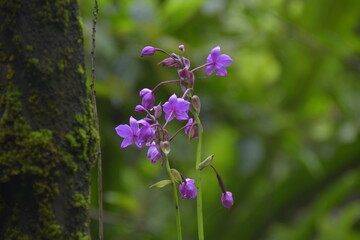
<point x="218" y="62"/>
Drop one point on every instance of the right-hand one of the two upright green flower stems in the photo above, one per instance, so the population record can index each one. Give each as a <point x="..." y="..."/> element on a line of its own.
<point x="198" y="181"/>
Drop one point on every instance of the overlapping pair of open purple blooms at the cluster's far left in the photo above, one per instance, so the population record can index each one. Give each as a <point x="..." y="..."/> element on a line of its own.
<point x="132" y="133"/>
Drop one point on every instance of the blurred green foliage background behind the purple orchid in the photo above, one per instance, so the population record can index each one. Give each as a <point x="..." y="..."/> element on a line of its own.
<point x="283" y="125"/>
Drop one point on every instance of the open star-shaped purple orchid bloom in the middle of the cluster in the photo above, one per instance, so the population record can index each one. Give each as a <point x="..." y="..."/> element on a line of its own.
<point x="176" y="107"/>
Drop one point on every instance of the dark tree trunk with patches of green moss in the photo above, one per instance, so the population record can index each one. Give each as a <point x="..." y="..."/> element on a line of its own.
<point x="47" y="135"/>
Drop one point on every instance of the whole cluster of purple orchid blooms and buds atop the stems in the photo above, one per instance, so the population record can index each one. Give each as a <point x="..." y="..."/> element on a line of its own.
<point x="151" y="133"/>
